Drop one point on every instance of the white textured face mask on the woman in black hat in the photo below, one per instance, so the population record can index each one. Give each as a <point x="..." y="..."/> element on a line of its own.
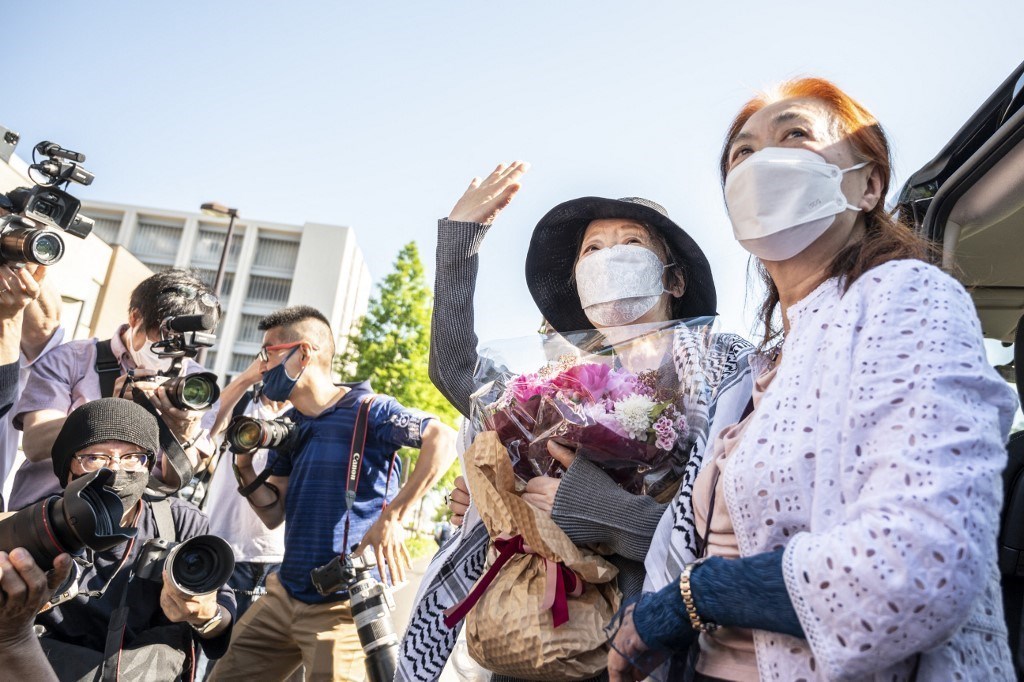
<point x="620" y="285"/>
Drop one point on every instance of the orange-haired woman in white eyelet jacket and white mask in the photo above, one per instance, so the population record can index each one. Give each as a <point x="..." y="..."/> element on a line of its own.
<point x="855" y="533"/>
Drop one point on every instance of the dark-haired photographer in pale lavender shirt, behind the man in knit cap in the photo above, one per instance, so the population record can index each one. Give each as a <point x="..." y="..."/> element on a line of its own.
<point x="81" y="371"/>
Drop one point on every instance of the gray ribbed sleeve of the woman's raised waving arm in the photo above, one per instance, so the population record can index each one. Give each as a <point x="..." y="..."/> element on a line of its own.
<point x="453" y="342"/>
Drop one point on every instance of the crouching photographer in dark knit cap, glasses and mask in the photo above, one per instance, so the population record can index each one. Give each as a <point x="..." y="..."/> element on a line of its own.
<point x="136" y="590"/>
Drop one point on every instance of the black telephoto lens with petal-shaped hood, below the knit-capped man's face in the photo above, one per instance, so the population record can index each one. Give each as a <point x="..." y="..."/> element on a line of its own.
<point x="88" y="516"/>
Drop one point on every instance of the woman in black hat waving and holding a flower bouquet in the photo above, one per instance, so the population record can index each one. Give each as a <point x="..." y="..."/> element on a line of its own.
<point x="592" y="264"/>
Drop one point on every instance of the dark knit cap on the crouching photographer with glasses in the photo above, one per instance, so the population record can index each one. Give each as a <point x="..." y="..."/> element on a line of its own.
<point x="106" y="419"/>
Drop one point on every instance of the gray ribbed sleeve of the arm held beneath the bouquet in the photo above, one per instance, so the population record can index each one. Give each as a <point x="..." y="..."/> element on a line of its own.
<point x="592" y="509"/>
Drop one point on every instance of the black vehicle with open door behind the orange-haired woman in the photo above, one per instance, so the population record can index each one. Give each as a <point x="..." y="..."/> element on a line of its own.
<point x="969" y="201"/>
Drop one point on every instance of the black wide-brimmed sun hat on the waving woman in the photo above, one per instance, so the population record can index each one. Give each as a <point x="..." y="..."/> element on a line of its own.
<point x="553" y="248"/>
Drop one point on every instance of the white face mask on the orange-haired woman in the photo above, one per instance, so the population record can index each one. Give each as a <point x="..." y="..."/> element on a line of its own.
<point x="781" y="200"/>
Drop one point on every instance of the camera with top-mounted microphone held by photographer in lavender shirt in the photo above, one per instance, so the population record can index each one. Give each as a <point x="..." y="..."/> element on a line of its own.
<point x="184" y="337"/>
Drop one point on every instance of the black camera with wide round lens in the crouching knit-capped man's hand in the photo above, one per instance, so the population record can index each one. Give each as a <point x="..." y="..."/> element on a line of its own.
<point x="198" y="566"/>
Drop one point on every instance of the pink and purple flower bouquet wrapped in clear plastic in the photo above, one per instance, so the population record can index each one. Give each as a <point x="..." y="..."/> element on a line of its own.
<point x="631" y="400"/>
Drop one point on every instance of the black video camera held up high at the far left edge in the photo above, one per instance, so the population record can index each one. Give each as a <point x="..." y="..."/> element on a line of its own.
<point x="28" y="232"/>
